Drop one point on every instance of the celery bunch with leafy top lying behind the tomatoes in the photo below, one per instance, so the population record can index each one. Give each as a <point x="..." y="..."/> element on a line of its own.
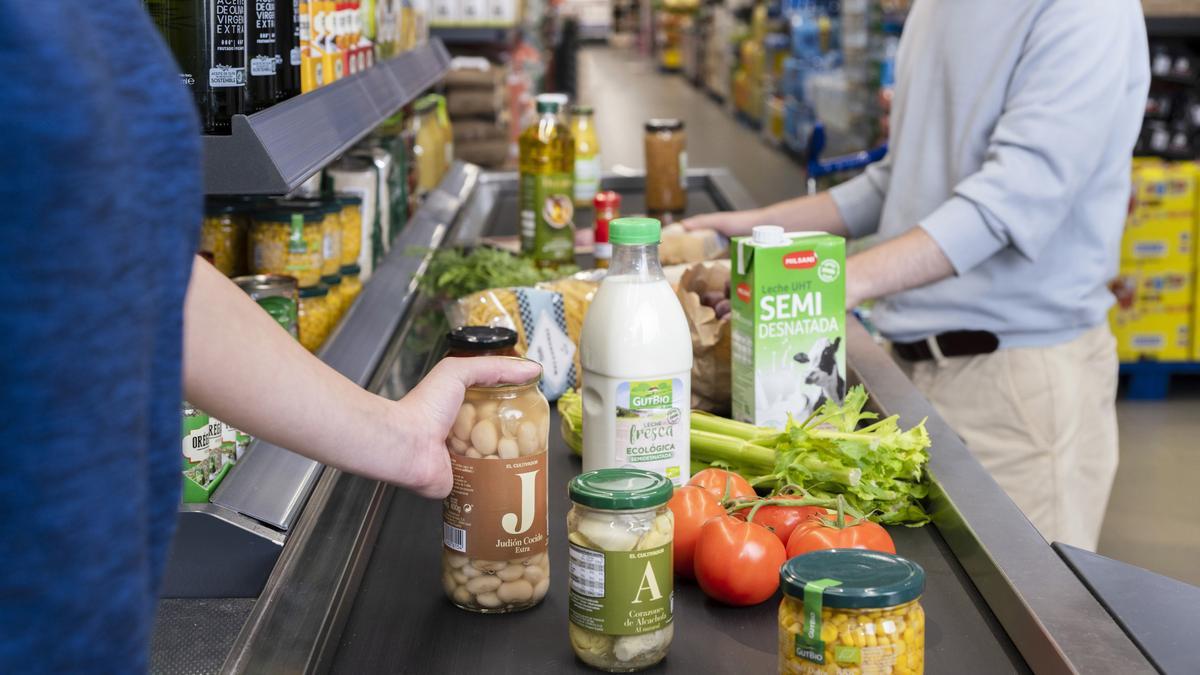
<point x="841" y="450"/>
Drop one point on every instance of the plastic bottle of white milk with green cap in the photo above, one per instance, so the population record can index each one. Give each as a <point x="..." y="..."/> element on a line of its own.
<point x="637" y="356"/>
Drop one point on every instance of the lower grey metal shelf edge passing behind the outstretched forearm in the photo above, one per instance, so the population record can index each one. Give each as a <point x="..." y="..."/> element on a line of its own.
<point x="230" y="547"/>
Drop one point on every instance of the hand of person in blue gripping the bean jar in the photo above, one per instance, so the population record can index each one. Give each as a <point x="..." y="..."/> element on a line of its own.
<point x="428" y="413"/>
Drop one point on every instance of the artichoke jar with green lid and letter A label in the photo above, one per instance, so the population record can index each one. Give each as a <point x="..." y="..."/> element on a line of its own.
<point x="620" y="535"/>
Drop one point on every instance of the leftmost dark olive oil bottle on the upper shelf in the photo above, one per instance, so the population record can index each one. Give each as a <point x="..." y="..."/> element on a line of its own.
<point x="208" y="39"/>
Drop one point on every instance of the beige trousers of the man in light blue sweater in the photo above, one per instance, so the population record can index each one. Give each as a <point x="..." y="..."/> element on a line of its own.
<point x="1043" y="422"/>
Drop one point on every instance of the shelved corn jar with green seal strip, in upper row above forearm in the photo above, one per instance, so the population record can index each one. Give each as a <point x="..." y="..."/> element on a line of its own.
<point x="289" y="241"/>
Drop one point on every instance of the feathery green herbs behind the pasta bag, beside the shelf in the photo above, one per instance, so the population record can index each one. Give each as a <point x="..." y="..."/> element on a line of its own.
<point x="457" y="273"/>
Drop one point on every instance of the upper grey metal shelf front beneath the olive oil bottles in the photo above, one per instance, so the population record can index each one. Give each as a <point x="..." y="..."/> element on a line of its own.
<point x="275" y="151"/>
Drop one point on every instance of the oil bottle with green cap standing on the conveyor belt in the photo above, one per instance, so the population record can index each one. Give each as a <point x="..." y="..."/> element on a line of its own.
<point x="548" y="206"/>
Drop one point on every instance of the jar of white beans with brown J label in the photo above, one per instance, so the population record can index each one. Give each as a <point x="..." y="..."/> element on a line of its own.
<point x="495" y="523"/>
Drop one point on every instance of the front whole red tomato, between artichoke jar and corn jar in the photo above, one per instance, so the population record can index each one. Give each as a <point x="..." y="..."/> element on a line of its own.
<point x="737" y="563"/>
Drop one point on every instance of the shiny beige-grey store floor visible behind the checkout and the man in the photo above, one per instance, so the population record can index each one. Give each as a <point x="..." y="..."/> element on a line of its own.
<point x="1154" y="517"/>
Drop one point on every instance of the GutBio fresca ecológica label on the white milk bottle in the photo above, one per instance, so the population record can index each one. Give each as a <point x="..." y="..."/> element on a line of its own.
<point x="652" y="428"/>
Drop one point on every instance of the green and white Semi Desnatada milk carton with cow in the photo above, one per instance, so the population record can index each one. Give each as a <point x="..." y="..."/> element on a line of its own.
<point x="789" y="296"/>
